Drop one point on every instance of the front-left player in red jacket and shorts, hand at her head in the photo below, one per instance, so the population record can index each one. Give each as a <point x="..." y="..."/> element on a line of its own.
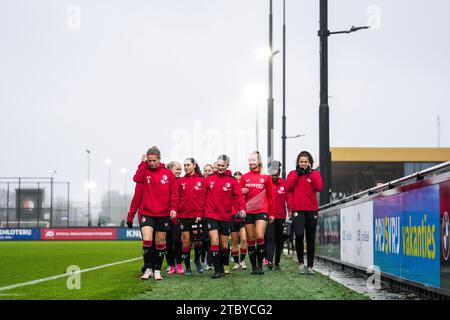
<point x="158" y="206"/>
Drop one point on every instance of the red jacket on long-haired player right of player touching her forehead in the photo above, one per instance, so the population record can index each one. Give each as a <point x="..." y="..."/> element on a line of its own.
<point x="192" y="196"/>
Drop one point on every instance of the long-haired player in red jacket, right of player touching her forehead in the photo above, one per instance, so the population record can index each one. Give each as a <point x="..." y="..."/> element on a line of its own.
<point x="191" y="208"/>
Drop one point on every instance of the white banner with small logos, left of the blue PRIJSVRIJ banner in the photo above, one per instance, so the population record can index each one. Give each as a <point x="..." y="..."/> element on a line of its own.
<point x="356" y="234"/>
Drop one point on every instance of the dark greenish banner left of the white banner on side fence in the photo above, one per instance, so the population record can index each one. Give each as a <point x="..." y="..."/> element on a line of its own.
<point x="328" y="234"/>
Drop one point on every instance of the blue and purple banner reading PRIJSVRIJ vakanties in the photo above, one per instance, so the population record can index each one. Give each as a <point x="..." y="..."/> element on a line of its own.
<point x="406" y="235"/>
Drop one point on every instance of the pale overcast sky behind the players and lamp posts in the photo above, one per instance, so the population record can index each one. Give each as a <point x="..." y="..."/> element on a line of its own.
<point x="120" y="76"/>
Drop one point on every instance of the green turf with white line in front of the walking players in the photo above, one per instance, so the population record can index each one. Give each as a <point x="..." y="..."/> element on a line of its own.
<point x="25" y="261"/>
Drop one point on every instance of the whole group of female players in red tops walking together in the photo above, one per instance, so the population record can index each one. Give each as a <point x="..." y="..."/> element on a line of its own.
<point x="203" y="209"/>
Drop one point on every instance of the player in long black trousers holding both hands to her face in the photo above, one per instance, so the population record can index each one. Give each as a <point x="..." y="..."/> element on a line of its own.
<point x="304" y="182"/>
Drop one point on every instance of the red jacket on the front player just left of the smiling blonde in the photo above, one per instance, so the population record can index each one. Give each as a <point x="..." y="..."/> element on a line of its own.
<point x="223" y="194"/>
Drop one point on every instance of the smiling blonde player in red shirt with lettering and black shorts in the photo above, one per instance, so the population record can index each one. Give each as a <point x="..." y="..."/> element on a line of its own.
<point x="258" y="191"/>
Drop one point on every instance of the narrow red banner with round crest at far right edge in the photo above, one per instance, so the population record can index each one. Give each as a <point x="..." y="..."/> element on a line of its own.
<point x="445" y="237"/>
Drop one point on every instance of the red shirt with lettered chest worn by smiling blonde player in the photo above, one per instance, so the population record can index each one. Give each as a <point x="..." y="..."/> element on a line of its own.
<point x="260" y="195"/>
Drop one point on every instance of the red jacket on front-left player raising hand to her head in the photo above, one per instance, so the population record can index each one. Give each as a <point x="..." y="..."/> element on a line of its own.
<point x="159" y="195"/>
